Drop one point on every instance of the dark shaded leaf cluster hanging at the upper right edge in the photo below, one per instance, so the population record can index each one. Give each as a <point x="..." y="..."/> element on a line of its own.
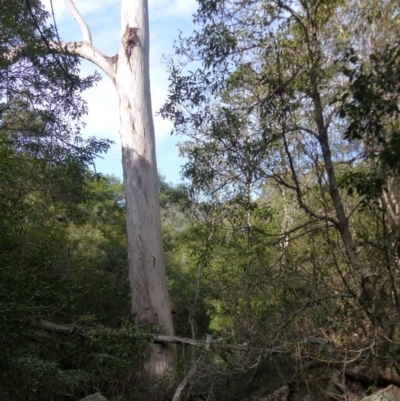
<point x="371" y="104"/>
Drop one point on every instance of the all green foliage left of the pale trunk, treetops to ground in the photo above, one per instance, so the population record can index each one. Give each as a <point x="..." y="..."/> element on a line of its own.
<point x="63" y="246"/>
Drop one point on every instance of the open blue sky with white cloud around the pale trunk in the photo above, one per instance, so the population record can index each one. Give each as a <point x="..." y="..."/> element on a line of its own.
<point x="167" y="18"/>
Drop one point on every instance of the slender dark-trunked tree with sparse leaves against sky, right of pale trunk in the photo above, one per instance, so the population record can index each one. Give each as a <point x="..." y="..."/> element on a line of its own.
<point x="279" y="68"/>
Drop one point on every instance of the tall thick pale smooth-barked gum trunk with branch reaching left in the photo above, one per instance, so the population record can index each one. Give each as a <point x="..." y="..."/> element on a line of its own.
<point x="129" y="71"/>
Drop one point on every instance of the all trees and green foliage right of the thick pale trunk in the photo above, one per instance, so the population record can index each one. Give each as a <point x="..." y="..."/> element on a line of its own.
<point x="290" y="134"/>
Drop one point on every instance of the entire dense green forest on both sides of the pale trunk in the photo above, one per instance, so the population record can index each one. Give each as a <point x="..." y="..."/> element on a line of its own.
<point x="282" y="245"/>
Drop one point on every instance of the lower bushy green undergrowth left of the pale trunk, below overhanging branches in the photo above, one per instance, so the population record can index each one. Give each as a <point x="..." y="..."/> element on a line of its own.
<point x="69" y="271"/>
